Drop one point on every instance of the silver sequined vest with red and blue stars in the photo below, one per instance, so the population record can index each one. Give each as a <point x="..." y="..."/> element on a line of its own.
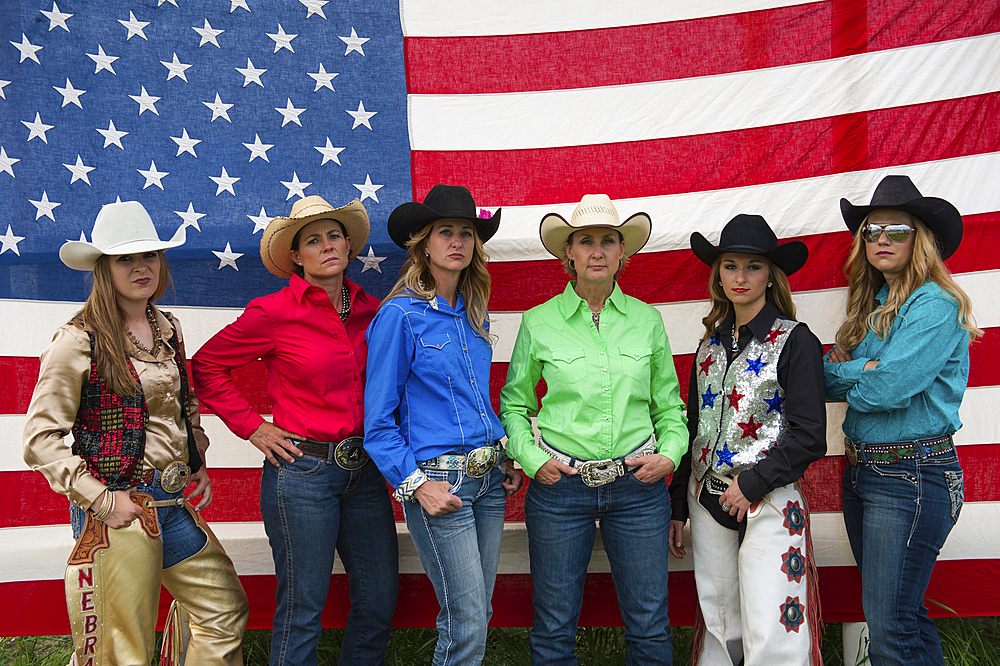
<point x="740" y="405"/>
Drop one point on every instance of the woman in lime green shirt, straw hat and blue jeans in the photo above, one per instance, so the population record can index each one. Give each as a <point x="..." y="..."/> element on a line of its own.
<point x="611" y="427"/>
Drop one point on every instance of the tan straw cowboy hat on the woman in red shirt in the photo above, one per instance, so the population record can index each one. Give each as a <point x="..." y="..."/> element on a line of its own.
<point x="277" y="238"/>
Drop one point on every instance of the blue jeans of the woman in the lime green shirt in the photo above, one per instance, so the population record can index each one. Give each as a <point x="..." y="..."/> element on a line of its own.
<point x="635" y="528"/>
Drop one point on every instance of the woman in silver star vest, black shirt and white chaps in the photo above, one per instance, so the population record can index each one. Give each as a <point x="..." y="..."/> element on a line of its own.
<point x="757" y="419"/>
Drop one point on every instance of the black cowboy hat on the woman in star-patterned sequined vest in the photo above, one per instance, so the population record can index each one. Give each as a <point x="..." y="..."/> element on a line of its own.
<point x="750" y="234"/>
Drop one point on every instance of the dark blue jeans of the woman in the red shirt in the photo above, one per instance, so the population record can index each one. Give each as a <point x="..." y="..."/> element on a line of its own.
<point x="310" y="507"/>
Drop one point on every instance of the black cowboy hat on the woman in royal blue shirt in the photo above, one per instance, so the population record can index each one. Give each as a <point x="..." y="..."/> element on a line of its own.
<point x="443" y="201"/>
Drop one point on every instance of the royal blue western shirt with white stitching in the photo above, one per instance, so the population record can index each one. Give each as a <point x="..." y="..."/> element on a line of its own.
<point x="428" y="389"/>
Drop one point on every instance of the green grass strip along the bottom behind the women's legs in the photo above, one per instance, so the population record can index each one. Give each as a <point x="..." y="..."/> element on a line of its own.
<point x="966" y="642"/>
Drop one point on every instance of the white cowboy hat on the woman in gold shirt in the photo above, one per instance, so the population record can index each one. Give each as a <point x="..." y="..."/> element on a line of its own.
<point x="123" y="227"/>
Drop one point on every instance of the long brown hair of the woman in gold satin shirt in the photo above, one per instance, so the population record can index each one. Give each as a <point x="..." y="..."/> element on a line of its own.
<point x="102" y="316"/>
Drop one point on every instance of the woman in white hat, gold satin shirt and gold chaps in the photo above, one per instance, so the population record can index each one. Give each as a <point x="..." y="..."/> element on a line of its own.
<point x="115" y="379"/>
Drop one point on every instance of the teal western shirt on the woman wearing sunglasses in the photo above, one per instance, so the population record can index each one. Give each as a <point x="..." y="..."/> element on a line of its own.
<point x="923" y="369"/>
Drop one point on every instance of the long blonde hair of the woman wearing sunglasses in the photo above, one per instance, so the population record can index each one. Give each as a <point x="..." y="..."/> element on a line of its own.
<point x="864" y="283"/>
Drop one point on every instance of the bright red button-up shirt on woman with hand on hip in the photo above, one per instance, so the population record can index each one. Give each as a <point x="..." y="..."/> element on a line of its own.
<point x="315" y="361"/>
